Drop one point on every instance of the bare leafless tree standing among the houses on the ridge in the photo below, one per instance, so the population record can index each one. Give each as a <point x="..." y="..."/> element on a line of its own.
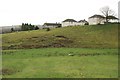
<point x="106" y="11"/>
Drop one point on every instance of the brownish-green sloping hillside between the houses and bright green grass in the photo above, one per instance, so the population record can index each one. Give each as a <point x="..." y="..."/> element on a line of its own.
<point x="97" y="36"/>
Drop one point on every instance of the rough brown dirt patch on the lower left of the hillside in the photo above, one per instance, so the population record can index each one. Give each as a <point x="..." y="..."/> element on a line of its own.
<point x="57" y="42"/>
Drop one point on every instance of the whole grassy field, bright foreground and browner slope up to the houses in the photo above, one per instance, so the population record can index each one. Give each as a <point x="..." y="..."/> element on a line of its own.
<point x="45" y="54"/>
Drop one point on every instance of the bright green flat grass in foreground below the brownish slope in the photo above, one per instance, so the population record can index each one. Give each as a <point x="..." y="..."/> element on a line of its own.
<point x="55" y="63"/>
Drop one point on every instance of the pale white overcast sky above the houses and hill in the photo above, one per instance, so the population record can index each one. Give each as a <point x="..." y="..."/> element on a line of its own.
<point x="37" y="12"/>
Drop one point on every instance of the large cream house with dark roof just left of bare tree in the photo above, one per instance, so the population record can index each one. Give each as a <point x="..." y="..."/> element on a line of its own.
<point x="96" y="19"/>
